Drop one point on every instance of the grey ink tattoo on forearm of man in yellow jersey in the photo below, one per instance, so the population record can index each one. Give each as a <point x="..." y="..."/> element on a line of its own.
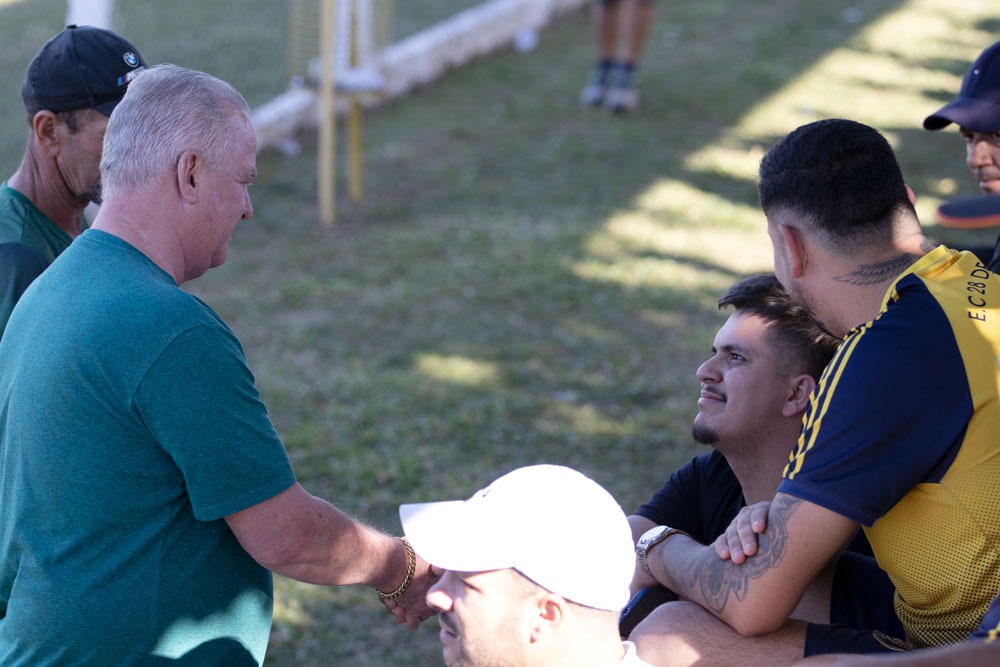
<point x="717" y="579"/>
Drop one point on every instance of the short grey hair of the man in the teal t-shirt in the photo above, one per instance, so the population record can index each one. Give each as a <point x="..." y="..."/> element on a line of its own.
<point x="166" y="111"/>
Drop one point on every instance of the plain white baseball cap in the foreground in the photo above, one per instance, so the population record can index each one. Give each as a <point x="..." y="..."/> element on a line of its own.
<point x="552" y="524"/>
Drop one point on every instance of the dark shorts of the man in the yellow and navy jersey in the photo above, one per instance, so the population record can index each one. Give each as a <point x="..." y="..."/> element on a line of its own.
<point x="862" y="615"/>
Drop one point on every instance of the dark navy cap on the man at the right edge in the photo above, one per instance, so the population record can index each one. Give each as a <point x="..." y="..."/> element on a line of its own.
<point x="977" y="106"/>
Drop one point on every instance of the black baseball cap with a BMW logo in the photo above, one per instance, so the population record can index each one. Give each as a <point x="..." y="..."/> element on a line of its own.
<point x="82" y="67"/>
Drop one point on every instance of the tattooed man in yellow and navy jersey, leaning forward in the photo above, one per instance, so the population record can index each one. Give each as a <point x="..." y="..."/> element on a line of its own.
<point x="902" y="436"/>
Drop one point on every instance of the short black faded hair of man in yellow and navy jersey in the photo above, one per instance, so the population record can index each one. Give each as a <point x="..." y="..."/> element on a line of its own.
<point x="842" y="178"/>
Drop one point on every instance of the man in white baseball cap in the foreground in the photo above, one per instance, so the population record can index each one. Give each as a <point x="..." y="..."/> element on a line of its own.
<point x="535" y="569"/>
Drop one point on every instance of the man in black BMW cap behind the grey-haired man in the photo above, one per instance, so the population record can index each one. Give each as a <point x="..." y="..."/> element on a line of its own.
<point x="69" y="90"/>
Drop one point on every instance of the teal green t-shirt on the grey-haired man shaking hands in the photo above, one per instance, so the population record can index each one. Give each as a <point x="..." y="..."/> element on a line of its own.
<point x="129" y="427"/>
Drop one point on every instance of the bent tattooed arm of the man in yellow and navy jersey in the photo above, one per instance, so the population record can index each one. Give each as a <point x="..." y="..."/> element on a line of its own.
<point x="758" y="595"/>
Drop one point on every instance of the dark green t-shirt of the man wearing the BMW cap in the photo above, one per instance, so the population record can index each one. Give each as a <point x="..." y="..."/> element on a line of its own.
<point x="29" y="242"/>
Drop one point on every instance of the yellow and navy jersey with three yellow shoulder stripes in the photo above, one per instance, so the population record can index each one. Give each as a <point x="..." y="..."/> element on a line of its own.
<point x="902" y="435"/>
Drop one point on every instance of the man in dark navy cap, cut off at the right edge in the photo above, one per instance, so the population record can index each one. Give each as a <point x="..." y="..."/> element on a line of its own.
<point x="976" y="111"/>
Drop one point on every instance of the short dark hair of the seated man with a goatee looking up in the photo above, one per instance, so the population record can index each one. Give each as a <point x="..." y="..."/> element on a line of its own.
<point x="803" y="345"/>
